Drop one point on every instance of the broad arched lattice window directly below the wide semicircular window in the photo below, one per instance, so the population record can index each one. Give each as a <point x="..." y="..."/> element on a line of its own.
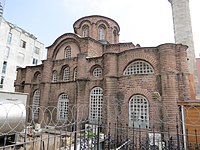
<point x="138" y="112"/>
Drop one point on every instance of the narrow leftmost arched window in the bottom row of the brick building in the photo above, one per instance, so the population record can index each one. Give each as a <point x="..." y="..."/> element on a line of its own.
<point x="36" y="103"/>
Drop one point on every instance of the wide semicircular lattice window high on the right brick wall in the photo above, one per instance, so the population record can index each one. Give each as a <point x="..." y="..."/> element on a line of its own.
<point x="138" y="67"/>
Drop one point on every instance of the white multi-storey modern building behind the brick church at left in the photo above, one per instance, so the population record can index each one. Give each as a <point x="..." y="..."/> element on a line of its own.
<point x="18" y="48"/>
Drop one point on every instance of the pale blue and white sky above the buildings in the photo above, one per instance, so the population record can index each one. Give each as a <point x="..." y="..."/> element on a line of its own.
<point x="145" y="22"/>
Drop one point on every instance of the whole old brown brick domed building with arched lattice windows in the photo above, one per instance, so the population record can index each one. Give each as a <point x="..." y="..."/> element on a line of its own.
<point x="106" y="80"/>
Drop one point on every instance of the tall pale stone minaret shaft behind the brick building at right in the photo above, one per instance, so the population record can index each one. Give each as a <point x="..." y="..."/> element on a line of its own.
<point x="183" y="34"/>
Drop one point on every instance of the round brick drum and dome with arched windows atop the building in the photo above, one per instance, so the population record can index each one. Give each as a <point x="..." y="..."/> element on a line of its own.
<point x="100" y="28"/>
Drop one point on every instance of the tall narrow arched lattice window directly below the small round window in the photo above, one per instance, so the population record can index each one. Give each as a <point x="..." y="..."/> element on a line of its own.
<point x="96" y="102"/>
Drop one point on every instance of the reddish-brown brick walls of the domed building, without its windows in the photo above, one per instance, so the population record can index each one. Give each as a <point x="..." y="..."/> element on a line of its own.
<point x="170" y="77"/>
